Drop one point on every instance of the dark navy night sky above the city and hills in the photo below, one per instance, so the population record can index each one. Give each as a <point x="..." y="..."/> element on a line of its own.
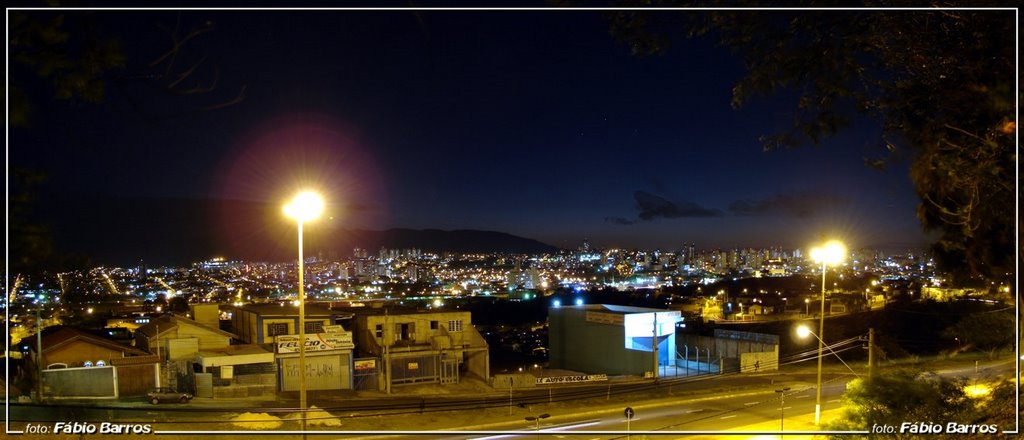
<point x="533" y="123"/>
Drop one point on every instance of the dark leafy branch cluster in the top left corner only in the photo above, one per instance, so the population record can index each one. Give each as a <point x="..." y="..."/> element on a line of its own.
<point x="78" y="58"/>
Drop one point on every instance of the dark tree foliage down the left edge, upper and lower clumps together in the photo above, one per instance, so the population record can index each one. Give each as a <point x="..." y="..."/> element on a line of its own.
<point x="75" y="59"/>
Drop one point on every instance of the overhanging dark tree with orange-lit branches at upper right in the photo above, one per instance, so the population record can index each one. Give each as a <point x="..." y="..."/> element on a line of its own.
<point x="941" y="83"/>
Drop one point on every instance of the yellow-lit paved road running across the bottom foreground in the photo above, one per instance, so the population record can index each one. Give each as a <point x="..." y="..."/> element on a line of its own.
<point x="729" y="404"/>
